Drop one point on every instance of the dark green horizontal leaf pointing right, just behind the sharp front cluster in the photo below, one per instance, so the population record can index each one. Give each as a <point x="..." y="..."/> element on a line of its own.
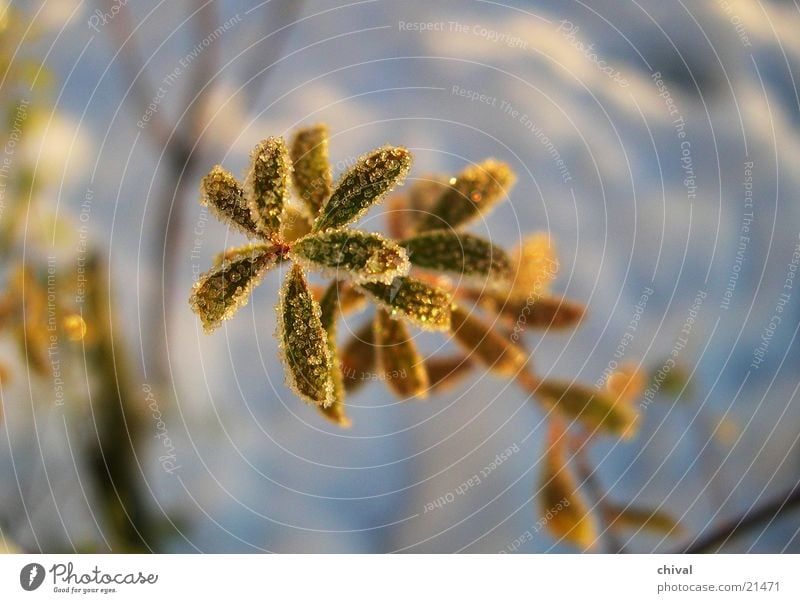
<point x="459" y="253"/>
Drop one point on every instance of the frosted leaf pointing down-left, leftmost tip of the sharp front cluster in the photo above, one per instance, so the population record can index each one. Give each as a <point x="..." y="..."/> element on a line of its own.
<point x="221" y="291"/>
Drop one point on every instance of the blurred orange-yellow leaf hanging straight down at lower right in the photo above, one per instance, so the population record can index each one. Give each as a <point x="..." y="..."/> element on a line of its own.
<point x="562" y="507"/>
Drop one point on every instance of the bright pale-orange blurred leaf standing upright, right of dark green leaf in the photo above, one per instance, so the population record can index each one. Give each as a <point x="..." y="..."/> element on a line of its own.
<point x="535" y="266"/>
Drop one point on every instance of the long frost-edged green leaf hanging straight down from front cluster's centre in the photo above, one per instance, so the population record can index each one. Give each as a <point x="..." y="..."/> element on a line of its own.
<point x="303" y="341"/>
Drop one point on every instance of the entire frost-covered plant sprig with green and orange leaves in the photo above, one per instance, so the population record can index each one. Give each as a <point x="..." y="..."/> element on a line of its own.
<point x="431" y="274"/>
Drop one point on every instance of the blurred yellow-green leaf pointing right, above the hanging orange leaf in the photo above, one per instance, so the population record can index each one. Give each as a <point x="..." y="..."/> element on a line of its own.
<point x="595" y="409"/>
